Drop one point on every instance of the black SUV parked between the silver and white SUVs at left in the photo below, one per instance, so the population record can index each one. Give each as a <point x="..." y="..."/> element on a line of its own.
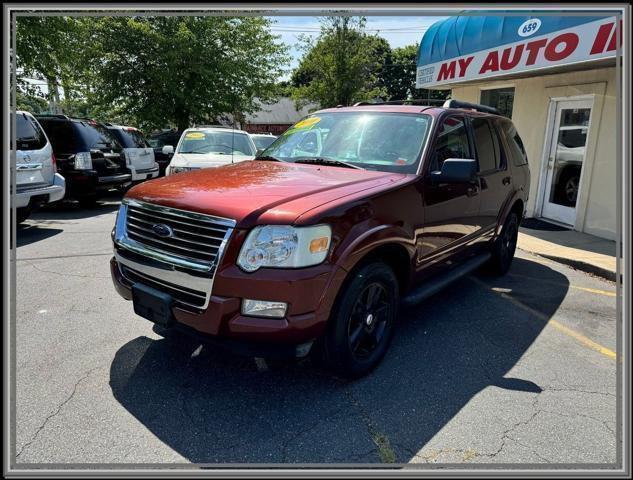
<point x="89" y="157"/>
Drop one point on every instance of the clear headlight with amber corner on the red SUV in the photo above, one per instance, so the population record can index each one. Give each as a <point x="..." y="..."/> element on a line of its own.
<point x="284" y="246"/>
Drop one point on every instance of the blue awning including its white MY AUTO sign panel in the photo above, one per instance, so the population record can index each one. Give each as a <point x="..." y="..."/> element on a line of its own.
<point x="466" y="48"/>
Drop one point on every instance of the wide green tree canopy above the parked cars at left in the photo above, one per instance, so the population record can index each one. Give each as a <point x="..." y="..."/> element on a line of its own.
<point x="154" y="71"/>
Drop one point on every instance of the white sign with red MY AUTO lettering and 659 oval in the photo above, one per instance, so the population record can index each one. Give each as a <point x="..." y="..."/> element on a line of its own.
<point x="589" y="41"/>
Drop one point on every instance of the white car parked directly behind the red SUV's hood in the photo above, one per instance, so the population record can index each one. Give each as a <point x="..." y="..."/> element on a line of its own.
<point x="204" y="147"/>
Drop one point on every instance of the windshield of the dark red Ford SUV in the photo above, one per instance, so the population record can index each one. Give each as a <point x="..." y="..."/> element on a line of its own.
<point x="389" y="142"/>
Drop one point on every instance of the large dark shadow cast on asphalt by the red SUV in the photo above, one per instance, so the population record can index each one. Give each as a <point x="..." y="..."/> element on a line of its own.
<point x="217" y="408"/>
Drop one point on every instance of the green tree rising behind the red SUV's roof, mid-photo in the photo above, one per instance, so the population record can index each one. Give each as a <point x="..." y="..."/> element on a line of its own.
<point x="341" y="66"/>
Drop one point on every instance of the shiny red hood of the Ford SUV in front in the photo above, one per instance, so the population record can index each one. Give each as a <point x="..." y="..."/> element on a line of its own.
<point x="255" y="192"/>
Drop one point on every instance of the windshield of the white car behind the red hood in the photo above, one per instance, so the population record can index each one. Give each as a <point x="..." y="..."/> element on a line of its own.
<point x="221" y="143"/>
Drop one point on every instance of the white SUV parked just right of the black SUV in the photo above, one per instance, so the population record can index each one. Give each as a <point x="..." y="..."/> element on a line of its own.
<point x="139" y="155"/>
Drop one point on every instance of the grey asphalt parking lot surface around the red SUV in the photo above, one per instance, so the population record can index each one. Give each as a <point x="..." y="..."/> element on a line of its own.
<point x="512" y="370"/>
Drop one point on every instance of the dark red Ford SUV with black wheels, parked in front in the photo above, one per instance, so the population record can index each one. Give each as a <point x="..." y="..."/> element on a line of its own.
<point x="293" y="253"/>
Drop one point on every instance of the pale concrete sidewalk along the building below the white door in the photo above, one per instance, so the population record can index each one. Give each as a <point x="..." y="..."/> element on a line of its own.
<point x="579" y="250"/>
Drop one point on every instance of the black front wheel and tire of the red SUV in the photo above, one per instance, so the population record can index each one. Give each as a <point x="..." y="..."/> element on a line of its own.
<point x="362" y="321"/>
